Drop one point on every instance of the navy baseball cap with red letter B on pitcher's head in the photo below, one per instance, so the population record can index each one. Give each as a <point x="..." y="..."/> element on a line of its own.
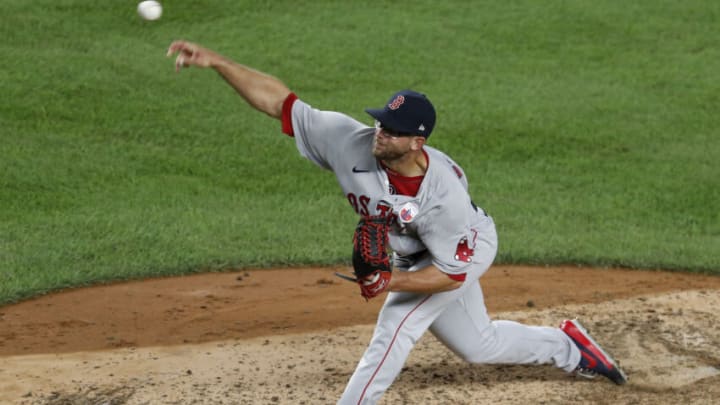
<point x="408" y="112"/>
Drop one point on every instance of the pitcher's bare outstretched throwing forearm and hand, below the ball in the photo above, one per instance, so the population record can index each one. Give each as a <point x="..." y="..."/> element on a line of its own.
<point x="262" y="91"/>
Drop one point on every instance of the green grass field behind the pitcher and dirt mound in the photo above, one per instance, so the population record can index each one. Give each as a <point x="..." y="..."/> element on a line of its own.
<point x="588" y="130"/>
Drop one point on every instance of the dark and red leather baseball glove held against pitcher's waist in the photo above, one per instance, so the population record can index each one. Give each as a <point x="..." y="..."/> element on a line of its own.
<point x="371" y="262"/>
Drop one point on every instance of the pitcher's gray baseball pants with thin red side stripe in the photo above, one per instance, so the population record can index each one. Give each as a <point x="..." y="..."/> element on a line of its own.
<point x="459" y="320"/>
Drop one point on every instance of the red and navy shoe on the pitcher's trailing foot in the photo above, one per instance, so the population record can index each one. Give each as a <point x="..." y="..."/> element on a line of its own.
<point x="594" y="359"/>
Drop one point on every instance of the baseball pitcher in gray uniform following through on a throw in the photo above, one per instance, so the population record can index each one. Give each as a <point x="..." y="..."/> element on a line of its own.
<point x="420" y="237"/>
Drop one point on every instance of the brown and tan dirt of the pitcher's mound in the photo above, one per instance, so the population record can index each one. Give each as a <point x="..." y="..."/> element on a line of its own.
<point x="294" y="336"/>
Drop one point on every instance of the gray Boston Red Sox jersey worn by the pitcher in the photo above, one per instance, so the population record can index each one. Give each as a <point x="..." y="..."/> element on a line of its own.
<point x="441" y="218"/>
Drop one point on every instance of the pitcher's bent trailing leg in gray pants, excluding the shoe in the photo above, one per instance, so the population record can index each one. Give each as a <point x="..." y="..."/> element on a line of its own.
<point x="466" y="329"/>
